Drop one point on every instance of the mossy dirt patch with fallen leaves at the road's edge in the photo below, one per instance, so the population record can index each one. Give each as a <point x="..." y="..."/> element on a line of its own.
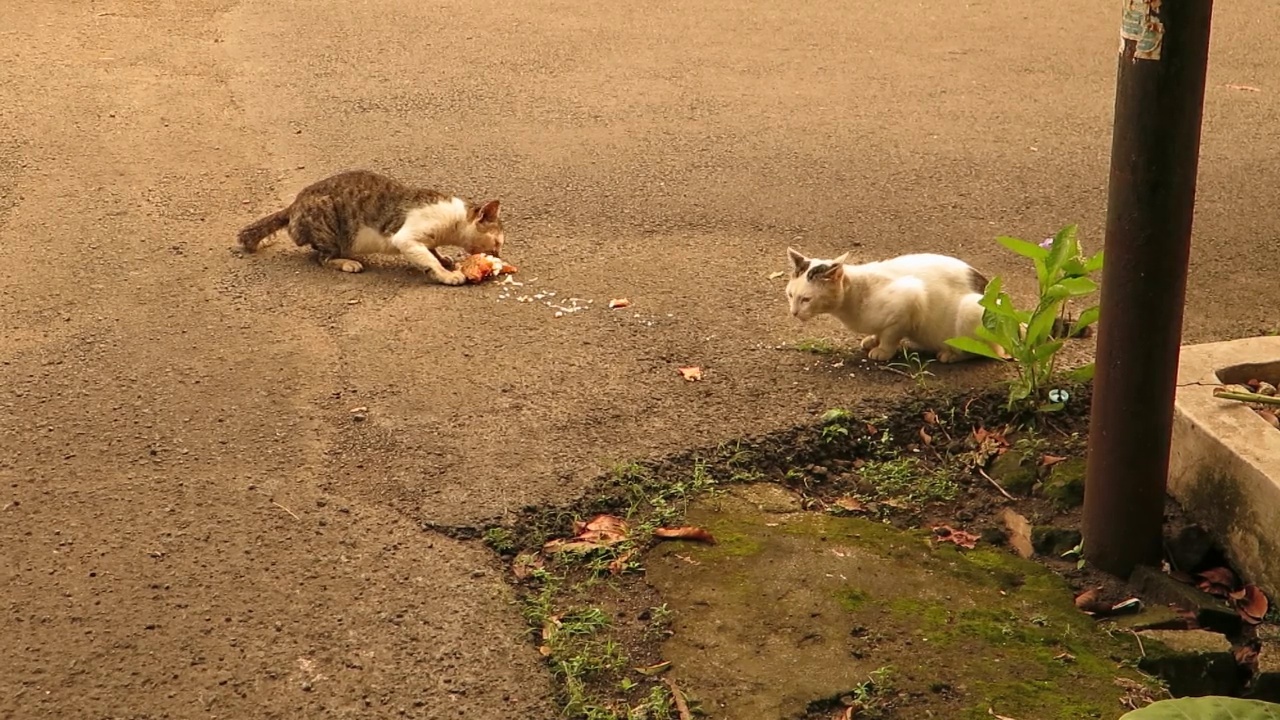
<point x="865" y="560"/>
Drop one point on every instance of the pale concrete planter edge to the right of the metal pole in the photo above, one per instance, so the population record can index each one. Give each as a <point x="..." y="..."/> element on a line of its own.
<point x="1224" y="467"/>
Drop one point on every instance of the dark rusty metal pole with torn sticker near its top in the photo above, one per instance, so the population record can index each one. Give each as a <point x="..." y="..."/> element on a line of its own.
<point x="1155" y="152"/>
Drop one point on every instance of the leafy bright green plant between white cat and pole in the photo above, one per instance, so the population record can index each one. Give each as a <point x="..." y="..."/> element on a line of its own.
<point x="1028" y="336"/>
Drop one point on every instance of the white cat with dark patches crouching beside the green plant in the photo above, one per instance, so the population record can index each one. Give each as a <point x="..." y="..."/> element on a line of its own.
<point x="921" y="300"/>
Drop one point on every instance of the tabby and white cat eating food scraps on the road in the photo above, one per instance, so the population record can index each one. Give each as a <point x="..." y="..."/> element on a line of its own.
<point x="362" y="213"/>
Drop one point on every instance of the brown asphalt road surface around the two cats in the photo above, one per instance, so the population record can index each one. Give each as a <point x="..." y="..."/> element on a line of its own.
<point x="194" y="526"/>
